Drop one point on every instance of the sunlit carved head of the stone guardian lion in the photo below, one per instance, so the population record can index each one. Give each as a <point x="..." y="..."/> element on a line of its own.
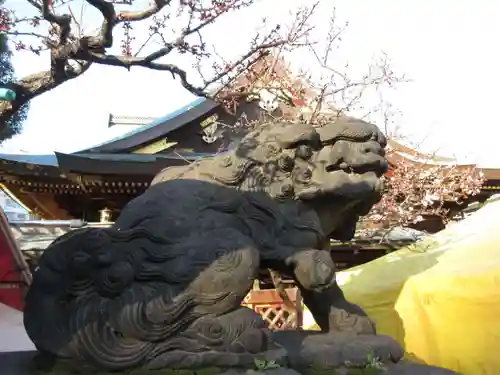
<point x="341" y="160"/>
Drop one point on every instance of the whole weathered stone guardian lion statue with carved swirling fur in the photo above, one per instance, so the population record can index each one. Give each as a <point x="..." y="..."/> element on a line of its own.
<point x="163" y="287"/>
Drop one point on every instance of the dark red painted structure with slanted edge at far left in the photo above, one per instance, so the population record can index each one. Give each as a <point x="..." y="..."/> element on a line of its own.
<point x="15" y="276"/>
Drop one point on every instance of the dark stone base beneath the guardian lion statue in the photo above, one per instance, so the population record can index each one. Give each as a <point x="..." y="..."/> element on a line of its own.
<point x="295" y="353"/>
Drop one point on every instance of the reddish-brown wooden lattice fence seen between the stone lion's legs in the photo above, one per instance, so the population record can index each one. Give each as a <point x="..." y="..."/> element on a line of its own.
<point x="271" y="307"/>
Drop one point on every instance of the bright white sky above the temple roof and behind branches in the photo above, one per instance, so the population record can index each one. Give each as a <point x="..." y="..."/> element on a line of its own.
<point x="448" y="49"/>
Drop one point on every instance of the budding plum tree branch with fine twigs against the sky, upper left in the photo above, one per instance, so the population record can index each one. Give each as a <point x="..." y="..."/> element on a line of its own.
<point x="66" y="46"/>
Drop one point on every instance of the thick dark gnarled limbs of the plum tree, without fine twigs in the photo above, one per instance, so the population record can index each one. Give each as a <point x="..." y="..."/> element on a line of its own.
<point x="85" y="50"/>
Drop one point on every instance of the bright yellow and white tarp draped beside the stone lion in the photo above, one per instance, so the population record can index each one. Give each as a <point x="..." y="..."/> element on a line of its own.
<point x="440" y="298"/>
